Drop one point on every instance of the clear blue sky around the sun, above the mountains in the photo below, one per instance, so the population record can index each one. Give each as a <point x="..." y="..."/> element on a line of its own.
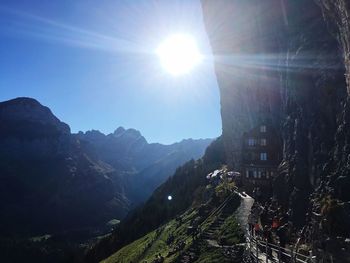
<point x="93" y="63"/>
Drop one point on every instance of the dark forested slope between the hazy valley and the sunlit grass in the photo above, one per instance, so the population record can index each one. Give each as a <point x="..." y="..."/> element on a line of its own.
<point x="187" y="188"/>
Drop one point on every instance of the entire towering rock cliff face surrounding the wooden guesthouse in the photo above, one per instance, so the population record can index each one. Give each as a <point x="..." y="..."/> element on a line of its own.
<point x="291" y="57"/>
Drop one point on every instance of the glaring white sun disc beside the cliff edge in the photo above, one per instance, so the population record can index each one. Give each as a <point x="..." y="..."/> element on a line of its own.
<point x="179" y="54"/>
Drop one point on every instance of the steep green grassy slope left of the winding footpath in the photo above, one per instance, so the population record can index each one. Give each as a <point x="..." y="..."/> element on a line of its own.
<point x="174" y="242"/>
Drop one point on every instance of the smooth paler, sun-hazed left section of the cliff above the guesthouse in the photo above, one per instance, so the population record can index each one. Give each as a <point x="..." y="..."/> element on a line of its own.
<point x="247" y="55"/>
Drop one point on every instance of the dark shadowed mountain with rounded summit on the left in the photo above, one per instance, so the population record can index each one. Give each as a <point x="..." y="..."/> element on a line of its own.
<point x="47" y="181"/>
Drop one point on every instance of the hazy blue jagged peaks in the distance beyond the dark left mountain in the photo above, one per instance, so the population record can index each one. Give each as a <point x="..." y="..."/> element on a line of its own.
<point x="144" y="166"/>
